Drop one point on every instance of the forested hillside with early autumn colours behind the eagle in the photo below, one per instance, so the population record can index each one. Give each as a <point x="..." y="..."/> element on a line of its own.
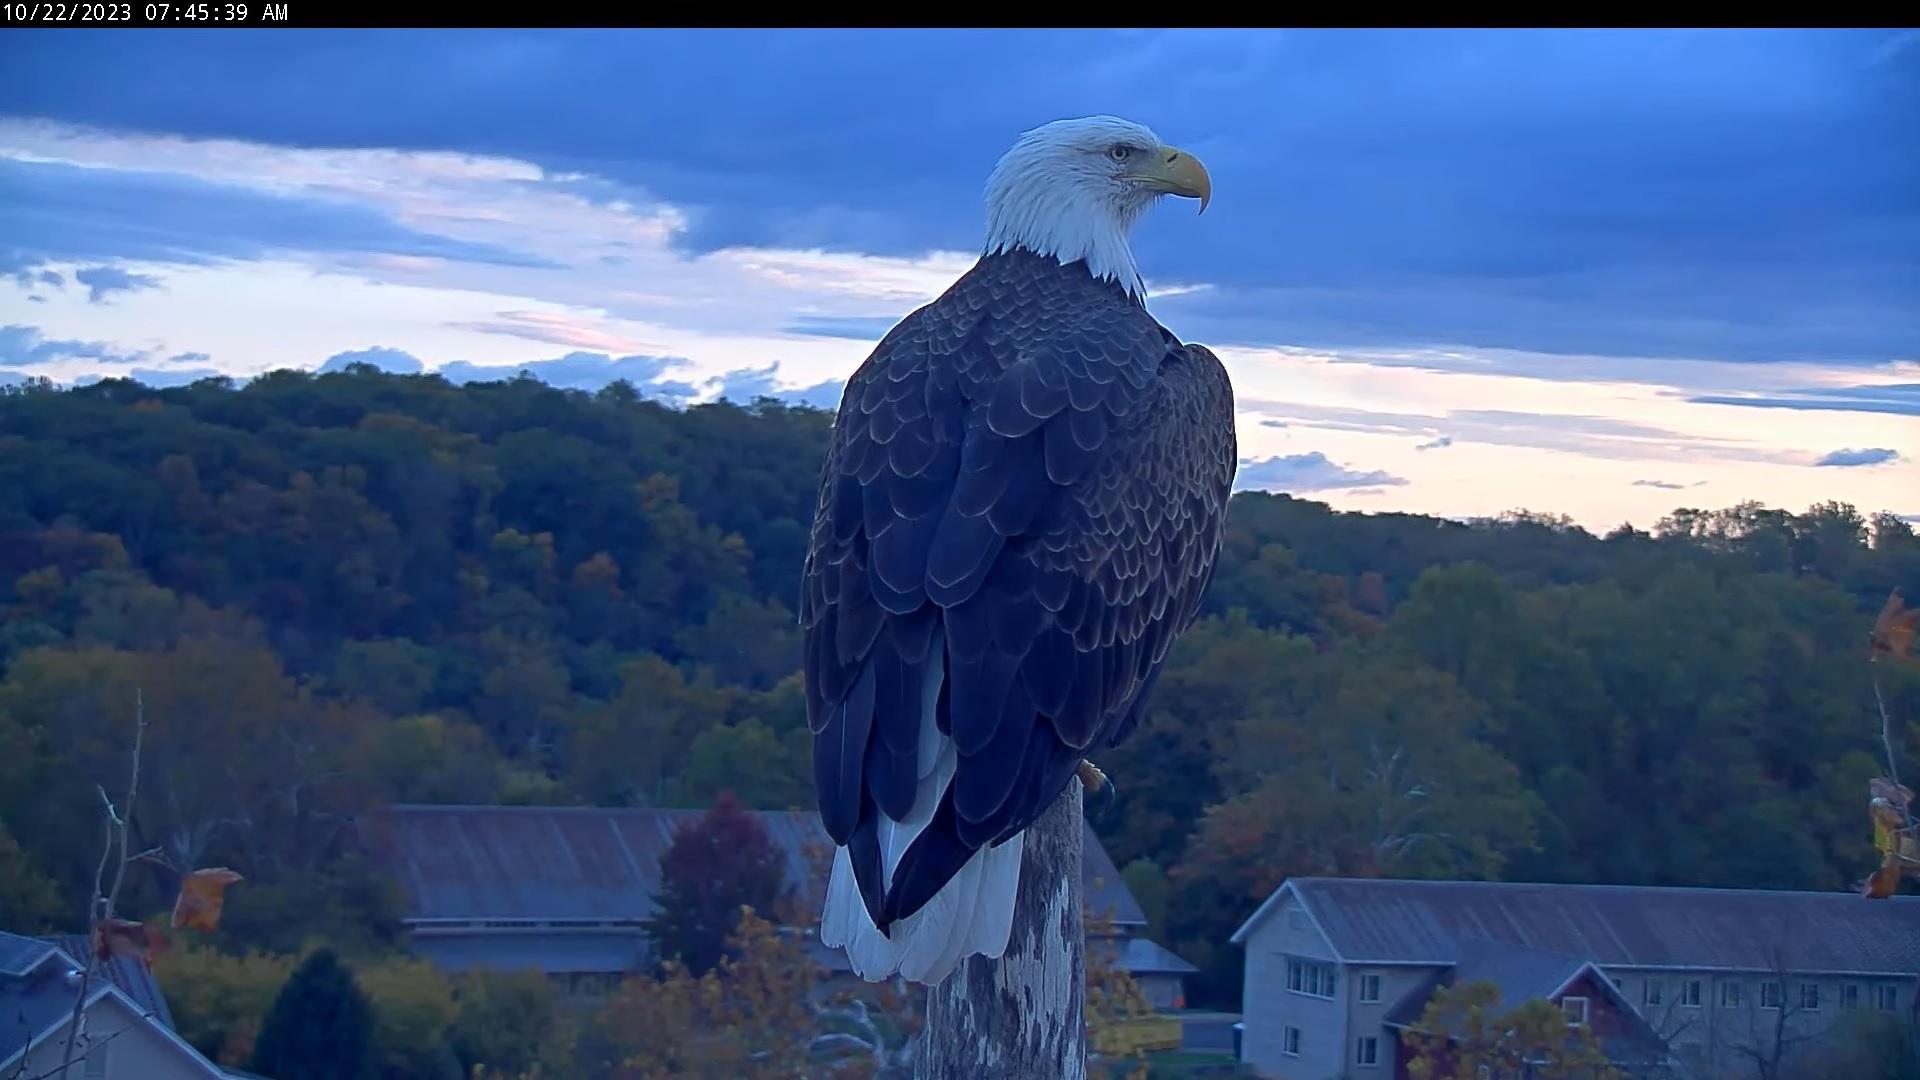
<point x="356" y="589"/>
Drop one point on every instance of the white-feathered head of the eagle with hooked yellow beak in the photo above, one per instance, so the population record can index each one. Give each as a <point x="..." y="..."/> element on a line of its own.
<point x="1074" y="187"/>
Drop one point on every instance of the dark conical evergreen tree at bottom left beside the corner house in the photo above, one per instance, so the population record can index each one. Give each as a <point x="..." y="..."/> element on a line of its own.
<point x="322" y="1027"/>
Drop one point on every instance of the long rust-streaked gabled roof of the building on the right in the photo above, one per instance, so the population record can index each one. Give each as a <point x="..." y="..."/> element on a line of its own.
<point x="1633" y="927"/>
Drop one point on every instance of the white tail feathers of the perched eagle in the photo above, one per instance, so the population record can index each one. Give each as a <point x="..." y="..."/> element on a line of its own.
<point x="971" y="914"/>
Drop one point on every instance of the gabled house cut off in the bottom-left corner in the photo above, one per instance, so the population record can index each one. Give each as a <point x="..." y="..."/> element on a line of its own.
<point x="126" y="1033"/>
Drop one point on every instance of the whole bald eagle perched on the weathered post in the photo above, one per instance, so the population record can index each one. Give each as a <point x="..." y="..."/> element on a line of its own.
<point x="1019" y="514"/>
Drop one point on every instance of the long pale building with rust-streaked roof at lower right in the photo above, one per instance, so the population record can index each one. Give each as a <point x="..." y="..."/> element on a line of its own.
<point x="1727" y="981"/>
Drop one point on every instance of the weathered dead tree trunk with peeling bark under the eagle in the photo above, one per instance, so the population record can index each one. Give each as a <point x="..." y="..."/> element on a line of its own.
<point x="1022" y="1018"/>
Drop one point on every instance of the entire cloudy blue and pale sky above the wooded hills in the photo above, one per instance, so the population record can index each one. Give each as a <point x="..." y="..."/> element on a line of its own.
<point x="1600" y="274"/>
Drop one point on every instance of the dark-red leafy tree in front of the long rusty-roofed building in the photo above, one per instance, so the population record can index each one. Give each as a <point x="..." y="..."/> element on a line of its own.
<point x="717" y="866"/>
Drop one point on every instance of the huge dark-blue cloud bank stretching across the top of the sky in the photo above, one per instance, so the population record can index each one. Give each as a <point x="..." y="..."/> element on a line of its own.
<point x="1579" y="191"/>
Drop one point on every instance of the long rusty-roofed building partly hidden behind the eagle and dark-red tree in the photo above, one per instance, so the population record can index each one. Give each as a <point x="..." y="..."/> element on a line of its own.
<point x="565" y="891"/>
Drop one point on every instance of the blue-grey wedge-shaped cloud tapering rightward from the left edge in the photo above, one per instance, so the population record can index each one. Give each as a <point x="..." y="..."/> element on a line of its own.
<point x="57" y="210"/>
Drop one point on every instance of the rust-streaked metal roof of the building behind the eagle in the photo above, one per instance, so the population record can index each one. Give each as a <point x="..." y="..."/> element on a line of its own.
<point x="600" y="866"/>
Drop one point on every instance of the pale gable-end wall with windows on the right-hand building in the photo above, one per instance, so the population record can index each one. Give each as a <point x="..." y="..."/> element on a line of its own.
<point x="1270" y="1008"/>
